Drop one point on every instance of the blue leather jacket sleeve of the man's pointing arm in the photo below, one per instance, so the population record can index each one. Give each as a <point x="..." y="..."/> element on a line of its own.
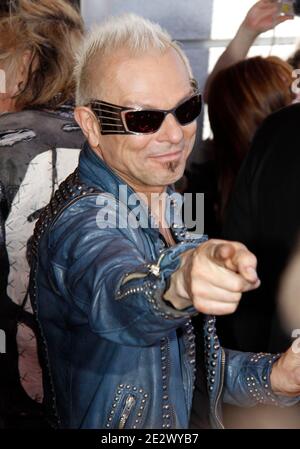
<point x="103" y="271"/>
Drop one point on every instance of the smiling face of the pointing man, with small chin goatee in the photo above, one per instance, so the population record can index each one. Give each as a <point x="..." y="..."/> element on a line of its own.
<point x="153" y="161"/>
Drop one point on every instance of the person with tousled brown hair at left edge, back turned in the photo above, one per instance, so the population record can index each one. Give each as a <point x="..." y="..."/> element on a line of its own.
<point x="39" y="146"/>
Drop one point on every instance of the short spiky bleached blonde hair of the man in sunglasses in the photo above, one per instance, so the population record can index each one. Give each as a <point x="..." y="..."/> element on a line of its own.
<point x="128" y="31"/>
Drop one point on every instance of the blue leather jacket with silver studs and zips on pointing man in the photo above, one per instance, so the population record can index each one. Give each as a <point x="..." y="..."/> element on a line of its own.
<point x="117" y="354"/>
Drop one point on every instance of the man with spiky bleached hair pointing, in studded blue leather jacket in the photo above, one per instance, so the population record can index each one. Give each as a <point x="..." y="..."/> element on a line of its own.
<point x="116" y="278"/>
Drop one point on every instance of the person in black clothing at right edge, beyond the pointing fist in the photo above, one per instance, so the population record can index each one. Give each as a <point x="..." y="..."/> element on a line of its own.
<point x="263" y="214"/>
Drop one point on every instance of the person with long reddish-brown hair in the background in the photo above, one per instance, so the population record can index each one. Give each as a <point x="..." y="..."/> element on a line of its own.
<point x="251" y="90"/>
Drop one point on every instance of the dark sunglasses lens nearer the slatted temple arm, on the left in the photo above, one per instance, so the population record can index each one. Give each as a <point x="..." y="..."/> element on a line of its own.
<point x="144" y="122"/>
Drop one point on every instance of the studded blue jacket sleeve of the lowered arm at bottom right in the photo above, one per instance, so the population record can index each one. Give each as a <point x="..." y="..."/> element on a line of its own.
<point x="247" y="380"/>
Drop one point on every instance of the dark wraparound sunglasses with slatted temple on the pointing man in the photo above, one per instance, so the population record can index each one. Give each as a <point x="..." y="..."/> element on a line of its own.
<point x="121" y="120"/>
